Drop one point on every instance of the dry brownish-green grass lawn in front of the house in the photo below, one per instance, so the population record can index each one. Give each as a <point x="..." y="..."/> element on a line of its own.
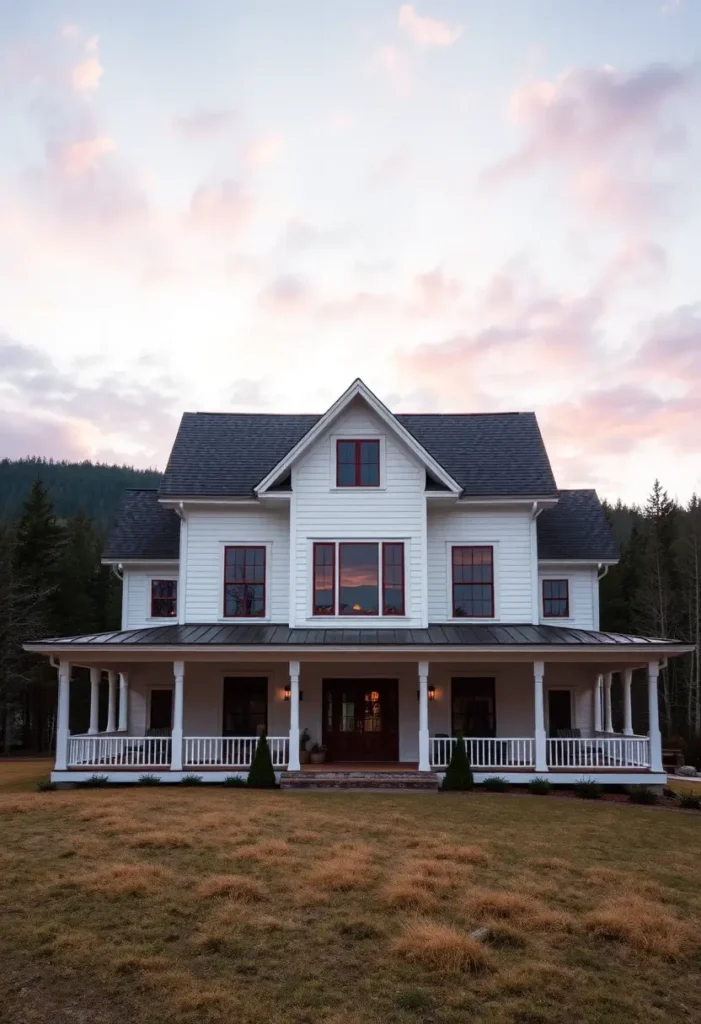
<point x="170" y="905"/>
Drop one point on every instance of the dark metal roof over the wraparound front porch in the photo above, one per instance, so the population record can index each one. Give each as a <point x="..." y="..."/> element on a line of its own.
<point x="279" y="635"/>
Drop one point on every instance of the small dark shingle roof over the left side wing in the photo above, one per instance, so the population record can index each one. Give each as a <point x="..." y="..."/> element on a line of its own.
<point x="144" y="529"/>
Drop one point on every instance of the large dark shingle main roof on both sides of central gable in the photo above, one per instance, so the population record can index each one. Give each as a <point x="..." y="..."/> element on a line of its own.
<point x="228" y="454"/>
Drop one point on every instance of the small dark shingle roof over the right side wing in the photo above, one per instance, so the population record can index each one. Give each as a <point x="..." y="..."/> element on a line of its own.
<point x="576" y="529"/>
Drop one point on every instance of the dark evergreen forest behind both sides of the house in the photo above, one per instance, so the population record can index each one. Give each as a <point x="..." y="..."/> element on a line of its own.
<point x="53" y="529"/>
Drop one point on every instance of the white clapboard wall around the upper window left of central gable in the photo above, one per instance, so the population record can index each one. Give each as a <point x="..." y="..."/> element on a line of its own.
<point x="209" y="532"/>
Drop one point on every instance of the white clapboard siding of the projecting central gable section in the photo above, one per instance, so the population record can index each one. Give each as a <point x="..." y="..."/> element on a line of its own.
<point x="395" y="511"/>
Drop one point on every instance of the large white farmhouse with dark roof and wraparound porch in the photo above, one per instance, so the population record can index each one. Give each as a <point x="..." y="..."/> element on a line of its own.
<point x="380" y="581"/>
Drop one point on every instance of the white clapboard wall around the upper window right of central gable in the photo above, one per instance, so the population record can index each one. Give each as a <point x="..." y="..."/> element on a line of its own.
<point x="510" y="533"/>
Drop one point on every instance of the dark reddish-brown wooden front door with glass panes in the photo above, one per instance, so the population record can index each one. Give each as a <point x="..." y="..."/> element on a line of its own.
<point x="361" y="719"/>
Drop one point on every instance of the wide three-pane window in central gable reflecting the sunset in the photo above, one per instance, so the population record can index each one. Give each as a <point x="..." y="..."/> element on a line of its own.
<point x="370" y="580"/>
